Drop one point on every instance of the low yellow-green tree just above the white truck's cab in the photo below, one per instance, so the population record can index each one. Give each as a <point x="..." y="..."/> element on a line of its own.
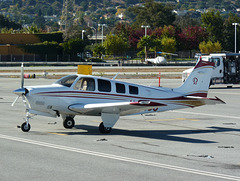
<point x="210" y="47"/>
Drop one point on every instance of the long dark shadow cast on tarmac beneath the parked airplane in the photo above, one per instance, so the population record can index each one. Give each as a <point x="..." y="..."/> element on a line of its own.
<point x="170" y="135"/>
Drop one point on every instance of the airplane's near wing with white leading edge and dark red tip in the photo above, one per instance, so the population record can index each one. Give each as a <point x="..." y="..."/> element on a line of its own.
<point x="122" y="108"/>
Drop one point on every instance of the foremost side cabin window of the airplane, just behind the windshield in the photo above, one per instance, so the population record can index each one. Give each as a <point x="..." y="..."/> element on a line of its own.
<point x="85" y="84"/>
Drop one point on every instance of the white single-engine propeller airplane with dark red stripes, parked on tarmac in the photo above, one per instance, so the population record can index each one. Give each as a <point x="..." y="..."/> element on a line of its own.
<point x="109" y="98"/>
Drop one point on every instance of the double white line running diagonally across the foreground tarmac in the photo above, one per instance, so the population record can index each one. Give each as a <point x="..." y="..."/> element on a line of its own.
<point x="120" y="158"/>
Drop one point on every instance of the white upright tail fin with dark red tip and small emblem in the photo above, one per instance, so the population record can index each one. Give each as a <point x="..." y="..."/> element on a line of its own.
<point x="198" y="81"/>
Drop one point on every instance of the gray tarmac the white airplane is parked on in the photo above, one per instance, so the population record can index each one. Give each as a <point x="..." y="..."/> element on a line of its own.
<point x="190" y="144"/>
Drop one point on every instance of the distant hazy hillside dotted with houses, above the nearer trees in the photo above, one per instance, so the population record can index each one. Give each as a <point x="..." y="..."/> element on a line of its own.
<point x="48" y="12"/>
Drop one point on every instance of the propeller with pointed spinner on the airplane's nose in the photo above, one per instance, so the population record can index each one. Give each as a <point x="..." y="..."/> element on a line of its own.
<point x="21" y="92"/>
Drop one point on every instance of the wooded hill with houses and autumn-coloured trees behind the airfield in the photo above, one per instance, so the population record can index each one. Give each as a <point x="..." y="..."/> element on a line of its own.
<point x="167" y="30"/>
